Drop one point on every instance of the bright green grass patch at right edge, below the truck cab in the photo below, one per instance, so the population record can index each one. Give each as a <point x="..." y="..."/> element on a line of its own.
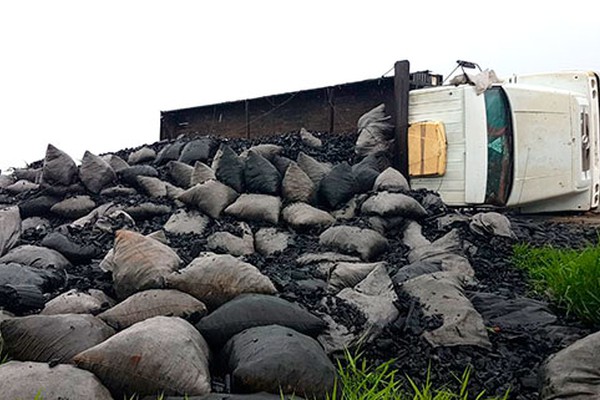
<point x="570" y="278"/>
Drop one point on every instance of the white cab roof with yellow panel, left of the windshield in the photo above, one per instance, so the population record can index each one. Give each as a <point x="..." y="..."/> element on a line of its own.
<point x="457" y="168"/>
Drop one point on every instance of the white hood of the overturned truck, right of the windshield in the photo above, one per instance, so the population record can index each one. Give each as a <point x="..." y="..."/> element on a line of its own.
<point x="547" y="166"/>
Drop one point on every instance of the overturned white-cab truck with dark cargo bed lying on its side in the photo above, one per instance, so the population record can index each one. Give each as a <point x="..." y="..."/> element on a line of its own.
<point x="530" y="143"/>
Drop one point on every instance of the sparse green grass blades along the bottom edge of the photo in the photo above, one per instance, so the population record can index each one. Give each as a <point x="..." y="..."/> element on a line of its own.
<point x="359" y="381"/>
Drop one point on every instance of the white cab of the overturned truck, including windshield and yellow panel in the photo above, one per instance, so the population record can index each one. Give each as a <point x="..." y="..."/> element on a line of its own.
<point x="531" y="143"/>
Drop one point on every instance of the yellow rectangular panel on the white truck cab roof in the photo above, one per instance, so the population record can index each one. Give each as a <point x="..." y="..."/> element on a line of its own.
<point x="426" y="149"/>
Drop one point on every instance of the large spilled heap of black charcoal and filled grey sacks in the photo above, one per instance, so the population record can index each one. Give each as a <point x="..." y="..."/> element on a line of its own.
<point x="201" y="265"/>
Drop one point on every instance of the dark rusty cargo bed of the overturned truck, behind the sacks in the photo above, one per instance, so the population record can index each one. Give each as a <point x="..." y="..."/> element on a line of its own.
<point x="333" y="109"/>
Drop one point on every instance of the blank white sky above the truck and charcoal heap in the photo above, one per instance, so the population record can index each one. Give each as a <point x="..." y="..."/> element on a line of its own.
<point x="94" y="75"/>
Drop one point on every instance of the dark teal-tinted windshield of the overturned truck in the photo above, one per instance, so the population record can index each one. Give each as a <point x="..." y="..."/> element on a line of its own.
<point x="500" y="147"/>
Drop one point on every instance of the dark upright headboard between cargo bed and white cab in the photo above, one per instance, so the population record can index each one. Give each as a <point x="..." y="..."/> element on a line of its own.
<point x="401" y="90"/>
